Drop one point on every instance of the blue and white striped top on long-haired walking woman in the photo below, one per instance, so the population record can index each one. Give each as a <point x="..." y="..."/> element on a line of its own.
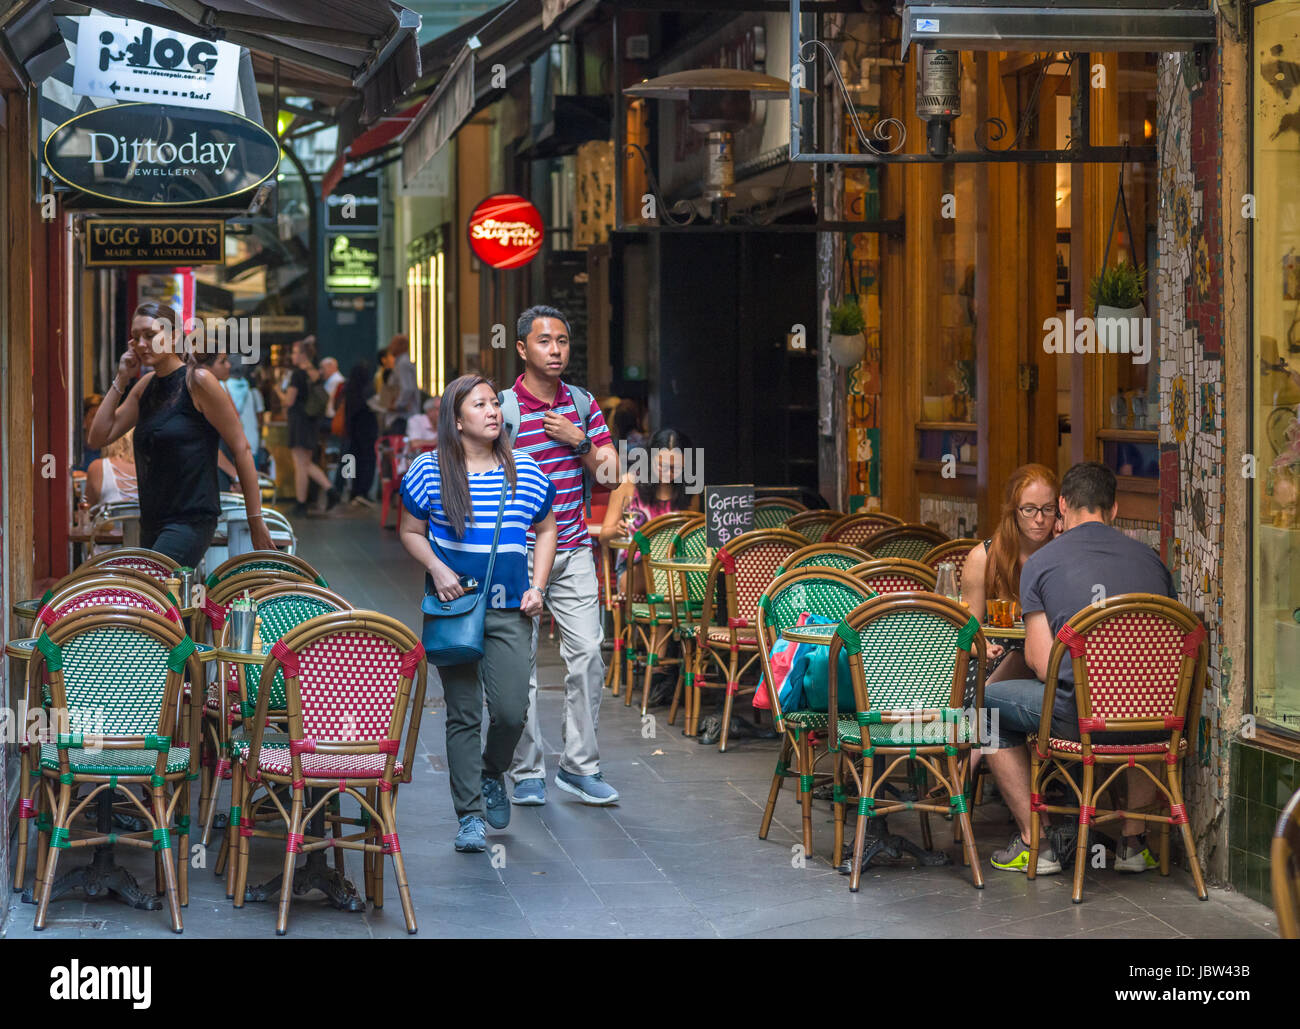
<point x="422" y="489"/>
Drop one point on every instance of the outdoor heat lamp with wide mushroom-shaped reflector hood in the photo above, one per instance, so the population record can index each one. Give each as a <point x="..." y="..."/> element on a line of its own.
<point x="720" y="102"/>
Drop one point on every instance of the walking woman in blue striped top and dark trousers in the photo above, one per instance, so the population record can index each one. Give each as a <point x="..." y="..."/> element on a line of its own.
<point x="450" y="500"/>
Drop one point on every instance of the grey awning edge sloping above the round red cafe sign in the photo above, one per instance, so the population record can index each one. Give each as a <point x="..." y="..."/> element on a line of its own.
<point x="509" y="42"/>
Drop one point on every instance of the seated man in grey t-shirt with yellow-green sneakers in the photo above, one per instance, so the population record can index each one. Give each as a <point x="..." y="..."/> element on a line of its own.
<point x="1086" y="565"/>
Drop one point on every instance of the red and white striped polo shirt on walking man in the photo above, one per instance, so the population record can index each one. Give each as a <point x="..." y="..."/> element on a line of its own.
<point x="558" y="461"/>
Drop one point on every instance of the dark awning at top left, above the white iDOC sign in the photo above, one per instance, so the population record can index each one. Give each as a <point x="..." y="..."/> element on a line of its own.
<point x="362" y="46"/>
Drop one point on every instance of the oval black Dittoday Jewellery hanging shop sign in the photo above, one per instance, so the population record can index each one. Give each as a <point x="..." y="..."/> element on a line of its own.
<point x="150" y="154"/>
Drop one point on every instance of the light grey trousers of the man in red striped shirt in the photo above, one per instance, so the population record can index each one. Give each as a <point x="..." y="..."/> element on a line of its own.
<point x="571" y="597"/>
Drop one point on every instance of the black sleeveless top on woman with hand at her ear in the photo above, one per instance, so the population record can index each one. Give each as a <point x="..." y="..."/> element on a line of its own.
<point x="176" y="455"/>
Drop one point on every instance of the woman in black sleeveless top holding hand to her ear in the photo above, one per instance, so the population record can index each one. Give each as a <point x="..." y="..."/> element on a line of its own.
<point x="180" y="413"/>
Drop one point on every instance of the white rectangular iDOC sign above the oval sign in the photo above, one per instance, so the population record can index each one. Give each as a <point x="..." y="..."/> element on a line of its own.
<point x="132" y="60"/>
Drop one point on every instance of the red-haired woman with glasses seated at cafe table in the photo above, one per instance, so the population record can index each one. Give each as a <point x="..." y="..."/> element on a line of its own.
<point x="993" y="570"/>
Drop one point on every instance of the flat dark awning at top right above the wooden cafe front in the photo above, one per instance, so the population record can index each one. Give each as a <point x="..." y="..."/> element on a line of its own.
<point x="1080" y="25"/>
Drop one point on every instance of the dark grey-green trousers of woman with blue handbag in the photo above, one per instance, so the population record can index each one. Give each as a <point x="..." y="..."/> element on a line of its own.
<point x="502" y="678"/>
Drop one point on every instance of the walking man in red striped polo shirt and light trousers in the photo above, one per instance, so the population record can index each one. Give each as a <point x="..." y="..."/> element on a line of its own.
<point x="551" y="431"/>
